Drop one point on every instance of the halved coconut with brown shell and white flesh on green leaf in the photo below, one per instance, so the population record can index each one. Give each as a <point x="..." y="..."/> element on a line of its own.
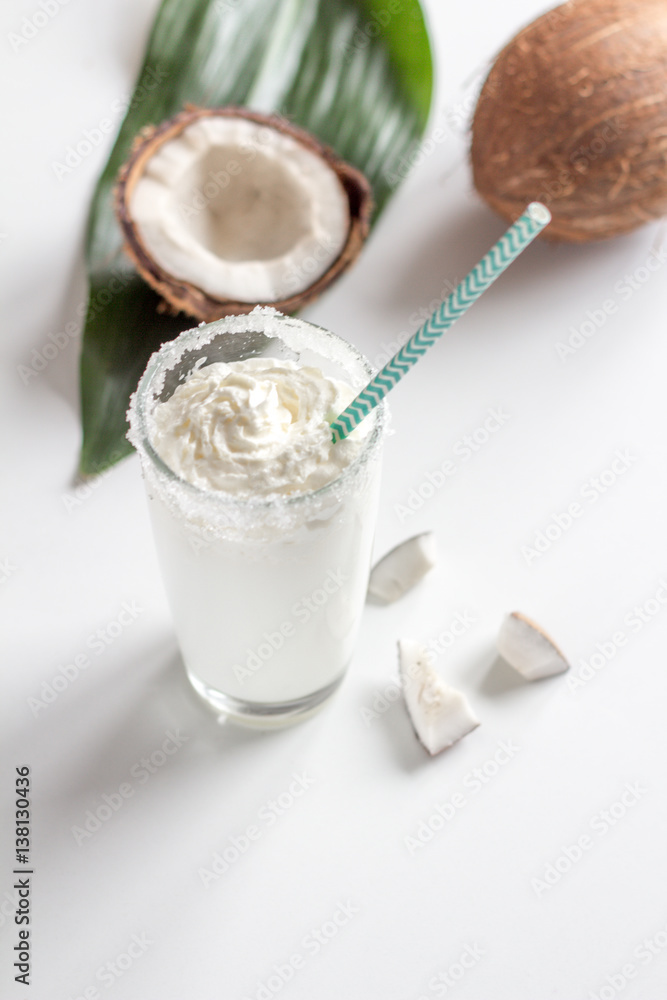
<point x="223" y="209"/>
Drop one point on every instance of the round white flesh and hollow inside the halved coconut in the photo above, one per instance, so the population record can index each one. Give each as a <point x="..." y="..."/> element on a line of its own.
<point x="241" y="210"/>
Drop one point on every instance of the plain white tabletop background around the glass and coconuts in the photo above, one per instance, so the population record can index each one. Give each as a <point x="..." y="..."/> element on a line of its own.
<point x="476" y="884"/>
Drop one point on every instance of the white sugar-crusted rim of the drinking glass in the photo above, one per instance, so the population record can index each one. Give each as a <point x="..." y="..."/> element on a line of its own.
<point x="156" y="365"/>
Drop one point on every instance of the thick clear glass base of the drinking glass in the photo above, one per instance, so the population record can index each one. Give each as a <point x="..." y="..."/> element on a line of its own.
<point x="263" y="715"/>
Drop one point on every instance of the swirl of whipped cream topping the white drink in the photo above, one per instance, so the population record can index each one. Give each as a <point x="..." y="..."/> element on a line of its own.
<point x="255" y="428"/>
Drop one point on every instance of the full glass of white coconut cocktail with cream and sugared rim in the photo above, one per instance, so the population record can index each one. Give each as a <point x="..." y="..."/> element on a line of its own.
<point x="263" y="525"/>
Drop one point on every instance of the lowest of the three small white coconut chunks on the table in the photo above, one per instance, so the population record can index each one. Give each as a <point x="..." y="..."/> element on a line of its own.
<point x="440" y="714"/>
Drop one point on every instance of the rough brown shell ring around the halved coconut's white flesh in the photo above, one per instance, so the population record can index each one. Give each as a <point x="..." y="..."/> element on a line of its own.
<point x="182" y="296"/>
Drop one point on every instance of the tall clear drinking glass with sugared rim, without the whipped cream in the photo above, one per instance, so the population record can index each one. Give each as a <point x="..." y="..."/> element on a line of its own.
<point x="266" y="593"/>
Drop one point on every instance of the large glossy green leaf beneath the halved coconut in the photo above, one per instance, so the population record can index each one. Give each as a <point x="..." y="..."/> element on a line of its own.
<point x="355" y="73"/>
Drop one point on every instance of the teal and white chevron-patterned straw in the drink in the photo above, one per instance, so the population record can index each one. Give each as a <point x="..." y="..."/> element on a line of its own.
<point x="491" y="266"/>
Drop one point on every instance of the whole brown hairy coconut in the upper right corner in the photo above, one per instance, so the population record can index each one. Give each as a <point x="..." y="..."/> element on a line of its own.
<point x="574" y="114"/>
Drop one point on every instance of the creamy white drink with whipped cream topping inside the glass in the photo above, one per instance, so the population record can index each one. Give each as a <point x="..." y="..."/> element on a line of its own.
<point x="275" y="619"/>
